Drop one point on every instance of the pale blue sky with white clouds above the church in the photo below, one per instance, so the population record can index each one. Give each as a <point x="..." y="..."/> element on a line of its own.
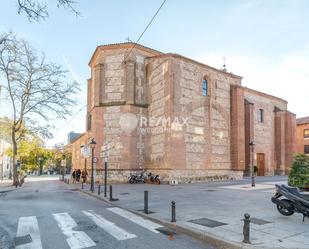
<point x="265" y="42"/>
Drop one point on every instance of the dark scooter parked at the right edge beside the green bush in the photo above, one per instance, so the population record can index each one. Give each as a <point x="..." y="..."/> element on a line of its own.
<point x="289" y="201"/>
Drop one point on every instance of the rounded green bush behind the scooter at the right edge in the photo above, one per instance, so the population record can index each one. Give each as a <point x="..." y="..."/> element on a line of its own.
<point x="299" y="174"/>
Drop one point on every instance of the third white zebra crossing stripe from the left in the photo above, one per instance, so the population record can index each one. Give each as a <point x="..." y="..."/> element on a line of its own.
<point x="109" y="227"/>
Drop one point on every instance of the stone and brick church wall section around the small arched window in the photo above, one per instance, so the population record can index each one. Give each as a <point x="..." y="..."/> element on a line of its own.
<point x="207" y="137"/>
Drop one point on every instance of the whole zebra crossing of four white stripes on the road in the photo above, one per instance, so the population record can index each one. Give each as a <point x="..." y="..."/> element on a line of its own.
<point x="77" y="239"/>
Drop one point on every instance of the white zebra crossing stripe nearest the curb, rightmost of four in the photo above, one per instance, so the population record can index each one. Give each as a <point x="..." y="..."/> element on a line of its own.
<point x="151" y="226"/>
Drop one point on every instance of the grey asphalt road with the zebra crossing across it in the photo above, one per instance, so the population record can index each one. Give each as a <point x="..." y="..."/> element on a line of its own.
<point x="48" y="214"/>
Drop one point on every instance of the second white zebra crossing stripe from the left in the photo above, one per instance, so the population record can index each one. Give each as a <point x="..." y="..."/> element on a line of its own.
<point x="75" y="239"/>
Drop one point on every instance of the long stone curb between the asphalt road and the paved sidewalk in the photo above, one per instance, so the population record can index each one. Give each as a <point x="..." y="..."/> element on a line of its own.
<point x="205" y="237"/>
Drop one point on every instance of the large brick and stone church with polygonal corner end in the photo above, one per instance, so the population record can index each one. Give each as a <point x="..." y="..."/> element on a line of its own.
<point x="180" y="118"/>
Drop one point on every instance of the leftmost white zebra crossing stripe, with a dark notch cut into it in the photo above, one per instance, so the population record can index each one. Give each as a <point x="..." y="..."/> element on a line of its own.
<point x="29" y="225"/>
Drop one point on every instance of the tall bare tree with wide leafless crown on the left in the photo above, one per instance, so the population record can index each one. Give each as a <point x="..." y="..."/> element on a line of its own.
<point x="37" y="90"/>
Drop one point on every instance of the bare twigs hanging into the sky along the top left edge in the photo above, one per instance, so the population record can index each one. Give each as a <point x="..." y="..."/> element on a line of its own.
<point x="37" y="10"/>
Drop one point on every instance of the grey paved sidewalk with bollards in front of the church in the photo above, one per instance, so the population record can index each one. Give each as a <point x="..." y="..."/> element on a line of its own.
<point x="220" y="207"/>
